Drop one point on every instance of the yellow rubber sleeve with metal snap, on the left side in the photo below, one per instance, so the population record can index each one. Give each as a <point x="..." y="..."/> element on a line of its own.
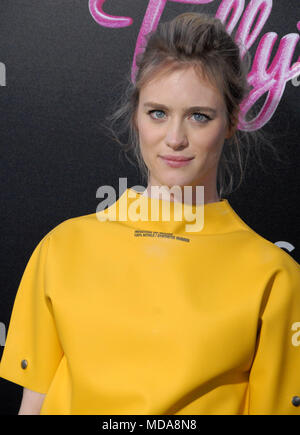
<point x="32" y="349"/>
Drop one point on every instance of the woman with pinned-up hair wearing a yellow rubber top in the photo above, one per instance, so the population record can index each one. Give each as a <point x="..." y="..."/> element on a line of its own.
<point x="145" y="316"/>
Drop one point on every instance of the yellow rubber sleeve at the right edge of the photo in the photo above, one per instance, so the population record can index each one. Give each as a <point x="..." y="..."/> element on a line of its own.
<point x="274" y="382"/>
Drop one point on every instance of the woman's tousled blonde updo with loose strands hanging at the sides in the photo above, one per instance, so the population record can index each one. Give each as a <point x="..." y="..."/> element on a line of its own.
<point x="199" y="40"/>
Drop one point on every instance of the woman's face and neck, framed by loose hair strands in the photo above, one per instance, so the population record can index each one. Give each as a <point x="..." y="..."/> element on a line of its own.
<point x="181" y="115"/>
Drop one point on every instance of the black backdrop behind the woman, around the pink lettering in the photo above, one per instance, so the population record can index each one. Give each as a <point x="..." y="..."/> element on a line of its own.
<point x="63" y="73"/>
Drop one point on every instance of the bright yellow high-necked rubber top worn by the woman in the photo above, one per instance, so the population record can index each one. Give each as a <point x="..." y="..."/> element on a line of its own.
<point x="114" y="320"/>
